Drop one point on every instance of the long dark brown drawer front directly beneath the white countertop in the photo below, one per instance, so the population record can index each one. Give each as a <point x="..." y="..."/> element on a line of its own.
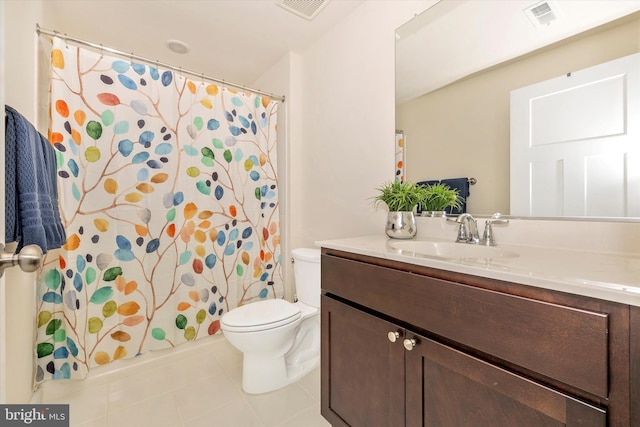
<point x="567" y="344"/>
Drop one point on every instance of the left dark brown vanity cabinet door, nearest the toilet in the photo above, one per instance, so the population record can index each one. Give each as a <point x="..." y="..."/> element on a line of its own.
<point x="362" y="370"/>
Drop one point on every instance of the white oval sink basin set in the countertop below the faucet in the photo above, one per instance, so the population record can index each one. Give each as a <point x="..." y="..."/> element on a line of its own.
<point x="451" y="250"/>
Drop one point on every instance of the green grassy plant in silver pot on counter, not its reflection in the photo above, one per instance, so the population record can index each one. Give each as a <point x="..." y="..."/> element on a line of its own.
<point x="401" y="198"/>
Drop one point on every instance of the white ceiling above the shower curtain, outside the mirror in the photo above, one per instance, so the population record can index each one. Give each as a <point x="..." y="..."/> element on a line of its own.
<point x="234" y="40"/>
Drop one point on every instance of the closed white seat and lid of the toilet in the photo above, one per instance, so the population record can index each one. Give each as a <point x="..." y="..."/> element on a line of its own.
<point x="260" y="316"/>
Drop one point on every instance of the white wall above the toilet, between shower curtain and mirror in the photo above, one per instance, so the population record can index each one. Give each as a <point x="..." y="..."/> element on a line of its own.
<point x="345" y="145"/>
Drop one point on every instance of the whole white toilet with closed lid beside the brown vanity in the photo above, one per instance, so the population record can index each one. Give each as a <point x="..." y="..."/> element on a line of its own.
<point x="280" y="341"/>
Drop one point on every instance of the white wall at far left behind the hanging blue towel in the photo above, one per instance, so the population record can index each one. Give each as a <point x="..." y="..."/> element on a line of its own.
<point x="20" y="47"/>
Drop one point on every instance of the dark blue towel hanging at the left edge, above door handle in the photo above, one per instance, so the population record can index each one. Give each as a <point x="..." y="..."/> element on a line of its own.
<point x="31" y="192"/>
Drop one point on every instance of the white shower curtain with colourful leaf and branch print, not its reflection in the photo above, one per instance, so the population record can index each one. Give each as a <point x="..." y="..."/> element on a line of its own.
<point x="169" y="196"/>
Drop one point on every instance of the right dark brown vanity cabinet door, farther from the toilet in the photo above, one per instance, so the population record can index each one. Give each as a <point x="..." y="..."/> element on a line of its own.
<point x="448" y="388"/>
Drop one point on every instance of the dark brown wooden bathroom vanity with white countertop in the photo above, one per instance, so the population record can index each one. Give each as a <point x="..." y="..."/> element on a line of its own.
<point x="410" y="340"/>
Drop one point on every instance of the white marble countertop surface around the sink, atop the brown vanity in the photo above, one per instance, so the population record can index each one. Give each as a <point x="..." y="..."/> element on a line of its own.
<point x="608" y="276"/>
